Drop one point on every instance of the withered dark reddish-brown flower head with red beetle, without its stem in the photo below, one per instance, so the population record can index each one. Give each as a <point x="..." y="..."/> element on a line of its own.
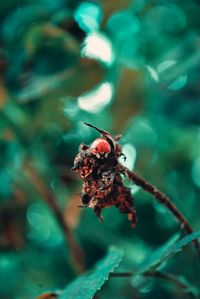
<point x="97" y="165"/>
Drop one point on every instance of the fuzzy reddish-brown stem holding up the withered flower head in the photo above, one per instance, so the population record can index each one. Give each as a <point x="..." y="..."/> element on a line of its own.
<point x="164" y="200"/>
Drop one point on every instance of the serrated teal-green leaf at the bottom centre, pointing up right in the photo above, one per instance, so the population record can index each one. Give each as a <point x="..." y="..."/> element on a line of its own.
<point x="85" y="286"/>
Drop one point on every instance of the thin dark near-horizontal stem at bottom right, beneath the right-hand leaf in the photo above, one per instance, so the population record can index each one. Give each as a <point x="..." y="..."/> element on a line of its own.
<point x="157" y="274"/>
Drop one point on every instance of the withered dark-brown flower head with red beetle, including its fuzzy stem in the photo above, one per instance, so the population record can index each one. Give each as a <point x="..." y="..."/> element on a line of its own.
<point x="102" y="174"/>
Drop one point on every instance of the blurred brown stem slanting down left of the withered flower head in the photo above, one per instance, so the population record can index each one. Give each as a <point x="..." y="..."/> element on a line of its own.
<point x="48" y="196"/>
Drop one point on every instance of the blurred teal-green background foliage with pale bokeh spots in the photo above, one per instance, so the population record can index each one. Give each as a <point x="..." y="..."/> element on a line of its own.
<point x="129" y="67"/>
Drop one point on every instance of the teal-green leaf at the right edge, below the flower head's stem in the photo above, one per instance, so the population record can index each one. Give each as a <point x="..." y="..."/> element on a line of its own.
<point x="173" y="246"/>
